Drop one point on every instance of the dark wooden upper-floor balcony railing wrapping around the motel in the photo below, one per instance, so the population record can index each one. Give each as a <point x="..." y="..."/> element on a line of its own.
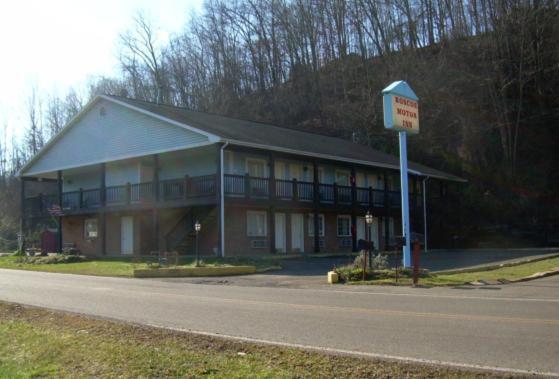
<point x="239" y="186"/>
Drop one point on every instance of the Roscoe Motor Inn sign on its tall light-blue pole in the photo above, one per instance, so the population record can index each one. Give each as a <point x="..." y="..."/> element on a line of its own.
<point x="401" y="113"/>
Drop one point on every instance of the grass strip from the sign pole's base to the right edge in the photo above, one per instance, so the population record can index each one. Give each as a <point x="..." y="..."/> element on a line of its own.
<point x="504" y="273"/>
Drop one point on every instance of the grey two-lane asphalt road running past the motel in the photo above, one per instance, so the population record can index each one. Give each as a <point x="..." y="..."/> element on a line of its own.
<point x="513" y="327"/>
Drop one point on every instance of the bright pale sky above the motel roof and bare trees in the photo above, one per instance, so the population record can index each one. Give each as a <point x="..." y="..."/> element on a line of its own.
<point x="54" y="45"/>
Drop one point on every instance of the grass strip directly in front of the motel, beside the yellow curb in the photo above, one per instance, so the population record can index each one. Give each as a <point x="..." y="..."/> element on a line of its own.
<point x="122" y="266"/>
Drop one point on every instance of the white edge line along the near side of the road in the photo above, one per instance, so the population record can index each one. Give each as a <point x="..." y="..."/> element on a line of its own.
<point x="361" y="353"/>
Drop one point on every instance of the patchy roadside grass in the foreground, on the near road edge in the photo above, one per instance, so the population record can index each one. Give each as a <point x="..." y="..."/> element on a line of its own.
<point x="42" y="343"/>
